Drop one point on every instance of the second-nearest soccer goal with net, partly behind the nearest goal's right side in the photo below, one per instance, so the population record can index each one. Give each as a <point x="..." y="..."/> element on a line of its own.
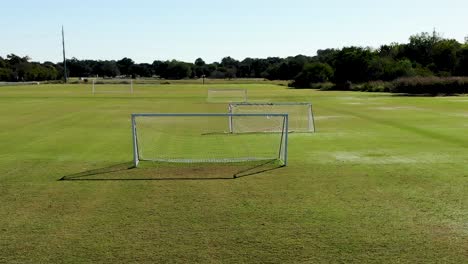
<point x="301" y="118"/>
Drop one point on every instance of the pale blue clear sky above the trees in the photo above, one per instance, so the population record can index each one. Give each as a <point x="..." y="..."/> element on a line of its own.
<point x="148" y="30"/>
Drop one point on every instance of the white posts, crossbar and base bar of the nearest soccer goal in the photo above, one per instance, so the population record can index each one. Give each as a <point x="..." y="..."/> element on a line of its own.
<point x="282" y="152"/>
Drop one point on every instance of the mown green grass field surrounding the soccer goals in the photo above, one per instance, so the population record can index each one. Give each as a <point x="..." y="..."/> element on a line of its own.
<point x="384" y="180"/>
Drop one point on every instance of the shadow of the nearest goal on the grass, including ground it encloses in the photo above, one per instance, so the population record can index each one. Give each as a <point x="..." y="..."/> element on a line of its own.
<point x="127" y="172"/>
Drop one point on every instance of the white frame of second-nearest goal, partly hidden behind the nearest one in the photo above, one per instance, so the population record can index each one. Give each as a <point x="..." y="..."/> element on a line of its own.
<point x="269" y="107"/>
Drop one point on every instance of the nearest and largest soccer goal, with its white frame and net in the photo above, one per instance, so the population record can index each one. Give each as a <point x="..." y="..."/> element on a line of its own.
<point x="206" y="138"/>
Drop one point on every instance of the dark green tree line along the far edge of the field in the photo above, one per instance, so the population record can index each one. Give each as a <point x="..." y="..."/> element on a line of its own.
<point x="426" y="54"/>
